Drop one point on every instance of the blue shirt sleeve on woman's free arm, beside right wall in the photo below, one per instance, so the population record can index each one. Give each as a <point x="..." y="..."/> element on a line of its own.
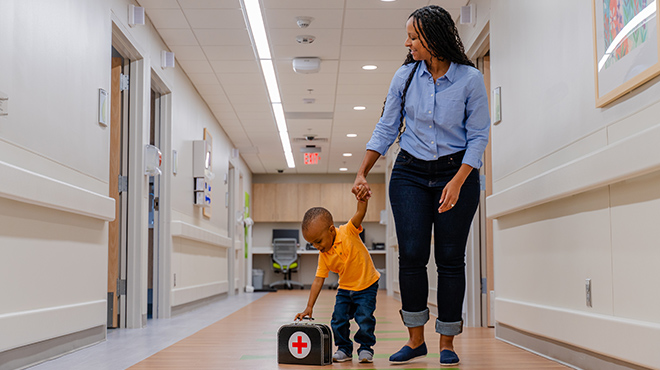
<point x="477" y="121"/>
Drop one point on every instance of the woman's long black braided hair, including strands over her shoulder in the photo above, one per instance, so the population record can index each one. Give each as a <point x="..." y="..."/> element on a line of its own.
<point x="439" y="36"/>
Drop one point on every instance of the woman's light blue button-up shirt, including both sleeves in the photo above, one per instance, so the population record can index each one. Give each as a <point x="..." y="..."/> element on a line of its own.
<point x="442" y="117"/>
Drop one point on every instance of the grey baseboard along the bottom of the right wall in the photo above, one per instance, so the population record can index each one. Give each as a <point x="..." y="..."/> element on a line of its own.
<point x="563" y="353"/>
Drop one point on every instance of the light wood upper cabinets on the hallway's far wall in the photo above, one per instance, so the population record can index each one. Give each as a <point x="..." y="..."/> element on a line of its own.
<point x="288" y="202"/>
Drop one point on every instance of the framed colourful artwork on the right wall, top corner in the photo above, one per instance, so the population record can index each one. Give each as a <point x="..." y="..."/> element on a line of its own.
<point x="626" y="49"/>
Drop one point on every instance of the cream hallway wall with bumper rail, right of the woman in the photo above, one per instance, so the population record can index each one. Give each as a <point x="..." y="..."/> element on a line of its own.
<point x="575" y="189"/>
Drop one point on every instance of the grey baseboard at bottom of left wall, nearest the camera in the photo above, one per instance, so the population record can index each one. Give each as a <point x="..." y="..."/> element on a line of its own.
<point x="32" y="354"/>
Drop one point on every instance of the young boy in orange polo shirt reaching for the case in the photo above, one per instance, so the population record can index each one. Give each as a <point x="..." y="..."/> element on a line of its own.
<point x="342" y="251"/>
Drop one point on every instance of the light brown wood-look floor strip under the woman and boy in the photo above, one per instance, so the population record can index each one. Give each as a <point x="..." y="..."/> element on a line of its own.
<point x="247" y="340"/>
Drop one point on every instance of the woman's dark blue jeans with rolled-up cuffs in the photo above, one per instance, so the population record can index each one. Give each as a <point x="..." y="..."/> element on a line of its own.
<point x="415" y="190"/>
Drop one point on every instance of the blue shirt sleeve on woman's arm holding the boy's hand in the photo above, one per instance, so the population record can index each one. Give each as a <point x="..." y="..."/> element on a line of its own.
<point x="387" y="128"/>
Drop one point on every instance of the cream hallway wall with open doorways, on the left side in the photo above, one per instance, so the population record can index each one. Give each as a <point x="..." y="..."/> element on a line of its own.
<point x="54" y="164"/>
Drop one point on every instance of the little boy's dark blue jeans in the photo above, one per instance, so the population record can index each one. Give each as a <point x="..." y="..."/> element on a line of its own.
<point x="359" y="305"/>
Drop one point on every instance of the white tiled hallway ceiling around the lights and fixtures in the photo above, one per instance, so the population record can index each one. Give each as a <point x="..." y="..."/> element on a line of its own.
<point x="212" y="45"/>
